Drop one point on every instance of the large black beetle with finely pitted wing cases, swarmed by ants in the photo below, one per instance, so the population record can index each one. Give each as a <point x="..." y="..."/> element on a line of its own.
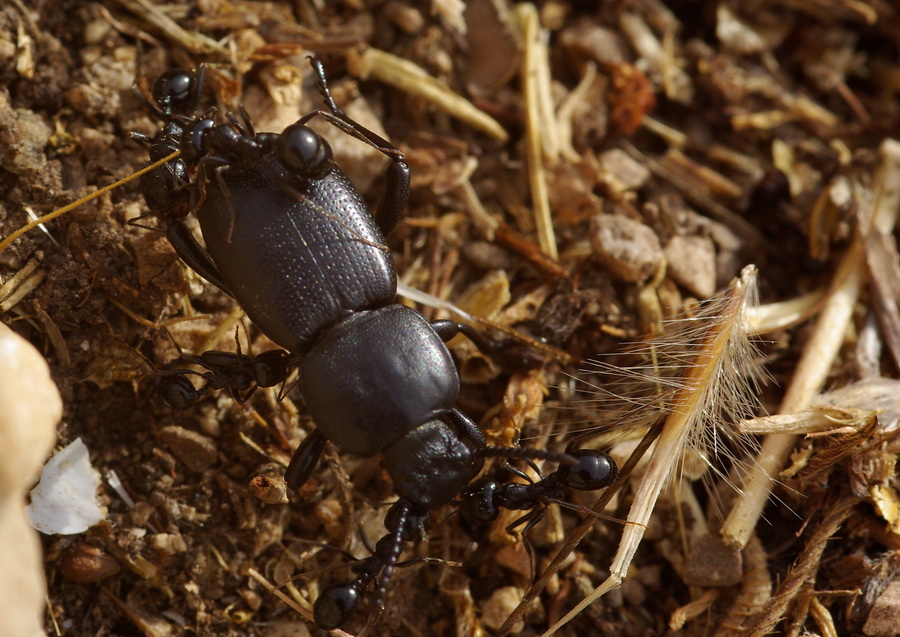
<point x="290" y="238"/>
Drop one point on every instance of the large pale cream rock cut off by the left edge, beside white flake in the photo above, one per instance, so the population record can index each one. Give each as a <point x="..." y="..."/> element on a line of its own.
<point x="31" y="409"/>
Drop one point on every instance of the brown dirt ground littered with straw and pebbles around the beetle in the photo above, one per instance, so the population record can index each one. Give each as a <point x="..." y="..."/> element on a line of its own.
<point x="580" y="176"/>
